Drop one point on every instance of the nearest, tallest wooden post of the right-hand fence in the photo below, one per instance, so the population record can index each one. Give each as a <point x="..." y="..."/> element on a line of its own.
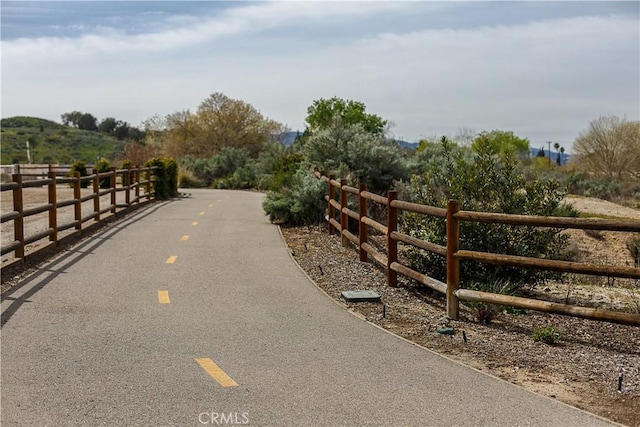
<point x="453" y="263"/>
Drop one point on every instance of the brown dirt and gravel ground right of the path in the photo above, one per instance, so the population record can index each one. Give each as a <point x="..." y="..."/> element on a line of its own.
<point x="582" y="369"/>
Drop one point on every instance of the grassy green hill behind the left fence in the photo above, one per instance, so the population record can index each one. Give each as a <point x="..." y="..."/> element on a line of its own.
<point x="51" y="142"/>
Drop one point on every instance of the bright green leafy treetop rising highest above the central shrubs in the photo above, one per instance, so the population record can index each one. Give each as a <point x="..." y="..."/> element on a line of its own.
<point x="323" y="112"/>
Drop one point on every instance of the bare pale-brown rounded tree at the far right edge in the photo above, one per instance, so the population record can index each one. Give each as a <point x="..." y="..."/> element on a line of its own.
<point x="610" y="146"/>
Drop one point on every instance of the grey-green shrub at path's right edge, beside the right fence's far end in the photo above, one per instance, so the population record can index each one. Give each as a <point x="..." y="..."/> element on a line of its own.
<point x="302" y="202"/>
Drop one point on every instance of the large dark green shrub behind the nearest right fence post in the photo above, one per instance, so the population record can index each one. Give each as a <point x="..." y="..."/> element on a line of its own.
<point x="484" y="182"/>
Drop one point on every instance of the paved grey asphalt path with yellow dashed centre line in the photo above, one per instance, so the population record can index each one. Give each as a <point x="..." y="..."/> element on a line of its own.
<point x="245" y="338"/>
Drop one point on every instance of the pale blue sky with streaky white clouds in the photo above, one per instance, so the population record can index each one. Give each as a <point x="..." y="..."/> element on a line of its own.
<point x="540" y="69"/>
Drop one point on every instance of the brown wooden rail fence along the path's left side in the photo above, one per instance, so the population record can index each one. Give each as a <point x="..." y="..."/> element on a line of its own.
<point x="135" y="180"/>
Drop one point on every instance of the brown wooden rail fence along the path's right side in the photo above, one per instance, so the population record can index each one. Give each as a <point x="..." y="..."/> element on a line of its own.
<point x="337" y="199"/>
